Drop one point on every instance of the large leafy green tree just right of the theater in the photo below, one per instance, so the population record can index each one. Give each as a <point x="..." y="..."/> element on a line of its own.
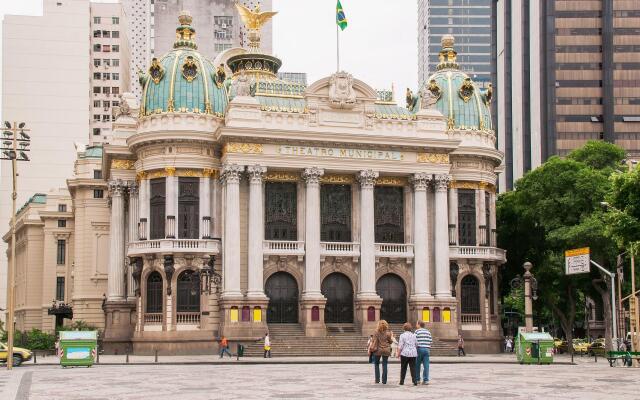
<point x="554" y="208"/>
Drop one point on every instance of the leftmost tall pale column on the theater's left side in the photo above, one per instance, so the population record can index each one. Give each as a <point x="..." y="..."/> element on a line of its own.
<point x="116" y="275"/>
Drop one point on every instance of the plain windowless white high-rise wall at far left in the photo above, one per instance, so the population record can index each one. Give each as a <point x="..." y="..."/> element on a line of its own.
<point x="46" y="84"/>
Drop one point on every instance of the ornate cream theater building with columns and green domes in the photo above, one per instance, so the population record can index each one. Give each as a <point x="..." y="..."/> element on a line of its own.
<point x="234" y="201"/>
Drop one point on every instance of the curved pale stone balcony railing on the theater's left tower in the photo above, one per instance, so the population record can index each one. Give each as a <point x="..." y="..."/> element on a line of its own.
<point x="199" y="246"/>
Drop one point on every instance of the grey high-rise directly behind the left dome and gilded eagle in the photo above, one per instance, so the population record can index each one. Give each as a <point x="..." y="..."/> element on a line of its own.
<point x="218" y="27"/>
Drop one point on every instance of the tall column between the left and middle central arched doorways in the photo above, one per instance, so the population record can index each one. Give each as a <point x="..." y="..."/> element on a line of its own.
<point x="312" y="233"/>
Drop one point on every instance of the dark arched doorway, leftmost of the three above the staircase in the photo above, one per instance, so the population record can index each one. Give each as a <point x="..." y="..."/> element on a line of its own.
<point x="282" y="290"/>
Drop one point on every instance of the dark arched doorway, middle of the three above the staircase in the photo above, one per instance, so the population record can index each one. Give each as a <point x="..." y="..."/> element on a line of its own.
<point x="337" y="288"/>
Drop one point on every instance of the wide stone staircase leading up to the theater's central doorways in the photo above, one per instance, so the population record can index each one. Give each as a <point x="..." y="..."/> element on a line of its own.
<point x="342" y="340"/>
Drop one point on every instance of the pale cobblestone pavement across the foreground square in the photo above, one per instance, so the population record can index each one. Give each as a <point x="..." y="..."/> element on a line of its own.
<point x="587" y="380"/>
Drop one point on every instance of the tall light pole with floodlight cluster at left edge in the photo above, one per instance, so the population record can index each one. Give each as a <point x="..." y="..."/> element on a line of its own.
<point x="14" y="147"/>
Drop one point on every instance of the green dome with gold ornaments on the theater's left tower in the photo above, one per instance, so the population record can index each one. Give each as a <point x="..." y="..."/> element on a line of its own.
<point x="183" y="81"/>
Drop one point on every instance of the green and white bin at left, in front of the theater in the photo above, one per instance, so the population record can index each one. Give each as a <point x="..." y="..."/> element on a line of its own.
<point x="78" y="348"/>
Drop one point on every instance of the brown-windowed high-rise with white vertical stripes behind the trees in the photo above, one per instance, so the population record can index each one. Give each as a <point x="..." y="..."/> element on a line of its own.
<point x="565" y="72"/>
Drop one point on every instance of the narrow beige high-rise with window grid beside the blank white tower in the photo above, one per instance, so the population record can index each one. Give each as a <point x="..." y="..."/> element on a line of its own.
<point x="109" y="65"/>
